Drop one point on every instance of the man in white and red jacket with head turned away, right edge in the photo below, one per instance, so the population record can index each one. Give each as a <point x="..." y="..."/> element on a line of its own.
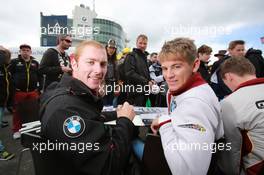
<point x="243" y="117"/>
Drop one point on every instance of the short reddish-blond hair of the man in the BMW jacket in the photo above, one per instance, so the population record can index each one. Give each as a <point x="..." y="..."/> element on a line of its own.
<point x="83" y="44"/>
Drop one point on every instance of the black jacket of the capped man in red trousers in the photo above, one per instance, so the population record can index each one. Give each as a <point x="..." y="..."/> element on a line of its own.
<point x="25" y="75"/>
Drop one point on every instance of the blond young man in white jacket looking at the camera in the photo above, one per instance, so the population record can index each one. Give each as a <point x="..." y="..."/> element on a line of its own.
<point x="189" y="131"/>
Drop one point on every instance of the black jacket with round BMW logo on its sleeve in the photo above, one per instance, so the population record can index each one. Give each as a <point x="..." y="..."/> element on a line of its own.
<point x="110" y="146"/>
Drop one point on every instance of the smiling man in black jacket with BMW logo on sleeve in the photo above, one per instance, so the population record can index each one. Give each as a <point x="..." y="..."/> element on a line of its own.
<point x="75" y="118"/>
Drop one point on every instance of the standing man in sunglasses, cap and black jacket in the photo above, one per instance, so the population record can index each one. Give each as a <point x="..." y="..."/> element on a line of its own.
<point x="55" y="61"/>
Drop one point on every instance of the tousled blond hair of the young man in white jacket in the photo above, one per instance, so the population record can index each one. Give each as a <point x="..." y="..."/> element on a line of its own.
<point x="180" y="47"/>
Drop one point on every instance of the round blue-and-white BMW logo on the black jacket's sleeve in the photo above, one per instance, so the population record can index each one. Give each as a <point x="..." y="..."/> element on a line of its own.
<point x="73" y="126"/>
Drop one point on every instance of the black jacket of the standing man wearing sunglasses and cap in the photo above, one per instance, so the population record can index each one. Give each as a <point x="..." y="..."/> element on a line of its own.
<point x="50" y="66"/>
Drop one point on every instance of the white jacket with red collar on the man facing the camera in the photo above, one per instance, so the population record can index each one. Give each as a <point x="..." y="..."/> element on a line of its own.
<point x="189" y="131"/>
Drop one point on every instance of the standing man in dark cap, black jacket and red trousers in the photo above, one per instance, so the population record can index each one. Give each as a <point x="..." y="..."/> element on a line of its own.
<point x="26" y="78"/>
